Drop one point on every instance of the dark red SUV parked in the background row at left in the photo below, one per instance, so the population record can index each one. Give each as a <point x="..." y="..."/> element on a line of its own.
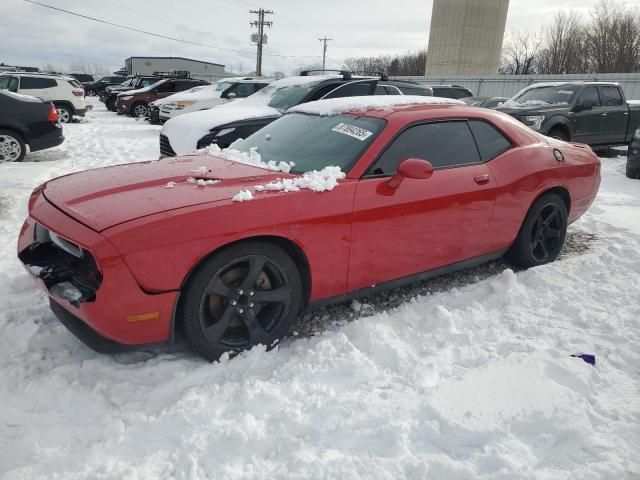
<point x="136" y="102"/>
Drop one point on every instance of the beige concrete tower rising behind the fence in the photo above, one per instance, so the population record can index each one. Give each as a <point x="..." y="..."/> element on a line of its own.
<point x="466" y="37"/>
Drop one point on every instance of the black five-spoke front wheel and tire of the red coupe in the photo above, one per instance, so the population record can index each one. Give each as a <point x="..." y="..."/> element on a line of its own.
<point x="245" y="295"/>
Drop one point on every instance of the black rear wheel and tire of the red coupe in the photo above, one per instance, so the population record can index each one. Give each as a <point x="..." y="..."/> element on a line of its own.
<point x="542" y="233"/>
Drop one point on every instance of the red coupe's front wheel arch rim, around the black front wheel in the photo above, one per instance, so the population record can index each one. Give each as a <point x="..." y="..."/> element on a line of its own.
<point x="294" y="250"/>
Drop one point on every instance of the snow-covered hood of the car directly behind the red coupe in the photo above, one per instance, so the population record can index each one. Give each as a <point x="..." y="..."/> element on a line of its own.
<point x="184" y="131"/>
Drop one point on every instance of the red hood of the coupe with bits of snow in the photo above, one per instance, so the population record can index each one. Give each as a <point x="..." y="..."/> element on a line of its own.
<point x="104" y="197"/>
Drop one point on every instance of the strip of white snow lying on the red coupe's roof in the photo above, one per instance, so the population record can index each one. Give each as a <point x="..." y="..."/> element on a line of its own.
<point x="337" y="106"/>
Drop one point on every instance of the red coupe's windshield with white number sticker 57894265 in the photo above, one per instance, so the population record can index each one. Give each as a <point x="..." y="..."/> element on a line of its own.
<point x="312" y="142"/>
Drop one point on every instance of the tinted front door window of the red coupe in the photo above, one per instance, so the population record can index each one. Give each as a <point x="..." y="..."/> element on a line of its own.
<point x="444" y="144"/>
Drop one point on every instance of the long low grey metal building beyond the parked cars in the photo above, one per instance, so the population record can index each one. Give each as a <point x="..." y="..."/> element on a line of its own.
<point x="198" y="69"/>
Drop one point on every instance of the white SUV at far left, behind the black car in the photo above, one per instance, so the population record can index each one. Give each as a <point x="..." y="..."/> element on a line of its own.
<point x="66" y="93"/>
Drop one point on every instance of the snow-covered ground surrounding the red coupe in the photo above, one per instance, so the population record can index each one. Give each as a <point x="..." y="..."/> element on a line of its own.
<point x="464" y="377"/>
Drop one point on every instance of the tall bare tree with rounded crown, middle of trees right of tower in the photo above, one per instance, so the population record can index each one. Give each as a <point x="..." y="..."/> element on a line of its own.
<point x="563" y="45"/>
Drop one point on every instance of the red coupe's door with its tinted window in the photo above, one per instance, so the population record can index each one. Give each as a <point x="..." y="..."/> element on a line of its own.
<point x="422" y="224"/>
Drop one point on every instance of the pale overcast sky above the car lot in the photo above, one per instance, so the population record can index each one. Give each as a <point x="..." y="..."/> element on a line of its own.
<point x="33" y="35"/>
